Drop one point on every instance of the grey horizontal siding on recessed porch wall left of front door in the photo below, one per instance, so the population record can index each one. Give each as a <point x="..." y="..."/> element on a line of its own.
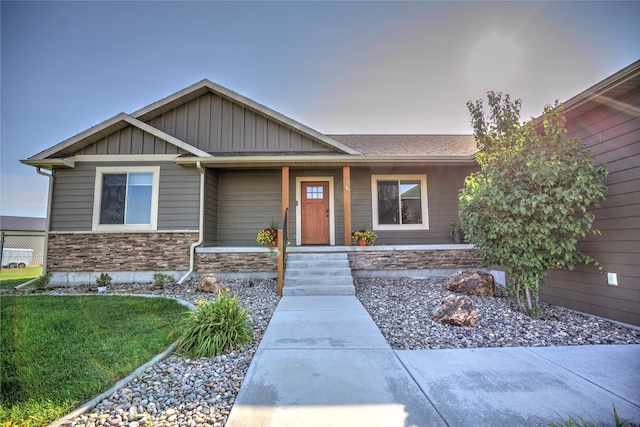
<point x="247" y="199"/>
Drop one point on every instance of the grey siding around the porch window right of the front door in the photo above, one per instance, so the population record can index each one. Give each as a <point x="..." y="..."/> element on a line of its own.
<point x="443" y="185"/>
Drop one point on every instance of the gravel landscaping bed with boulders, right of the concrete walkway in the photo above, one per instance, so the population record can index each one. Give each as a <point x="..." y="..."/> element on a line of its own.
<point x="401" y="309"/>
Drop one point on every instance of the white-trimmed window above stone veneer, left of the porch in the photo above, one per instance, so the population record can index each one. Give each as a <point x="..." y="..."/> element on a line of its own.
<point x="126" y="198"/>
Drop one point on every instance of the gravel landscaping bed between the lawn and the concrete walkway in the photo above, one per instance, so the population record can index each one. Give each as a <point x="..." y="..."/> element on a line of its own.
<point x="178" y="391"/>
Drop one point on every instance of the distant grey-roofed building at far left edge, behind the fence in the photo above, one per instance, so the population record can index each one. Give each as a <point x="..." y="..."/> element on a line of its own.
<point x="20" y="232"/>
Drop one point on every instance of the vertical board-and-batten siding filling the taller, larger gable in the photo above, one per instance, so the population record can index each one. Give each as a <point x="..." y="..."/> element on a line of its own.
<point x="214" y="124"/>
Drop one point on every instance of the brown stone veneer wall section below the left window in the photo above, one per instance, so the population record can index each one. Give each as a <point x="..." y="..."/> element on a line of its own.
<point x="96" y="252"/>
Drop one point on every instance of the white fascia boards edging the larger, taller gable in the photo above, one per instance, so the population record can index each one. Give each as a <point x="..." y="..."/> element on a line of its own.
<point x="250" y="104"/>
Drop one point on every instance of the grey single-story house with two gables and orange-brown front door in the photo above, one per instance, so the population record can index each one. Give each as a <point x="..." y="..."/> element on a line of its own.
<point x="184" y="185"/>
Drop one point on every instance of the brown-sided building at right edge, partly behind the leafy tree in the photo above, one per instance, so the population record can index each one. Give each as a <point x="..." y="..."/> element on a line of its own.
<point x="606" y="117"/>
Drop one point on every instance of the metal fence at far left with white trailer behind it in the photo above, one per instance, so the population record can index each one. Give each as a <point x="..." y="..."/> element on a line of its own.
<point x="22" y="255"/>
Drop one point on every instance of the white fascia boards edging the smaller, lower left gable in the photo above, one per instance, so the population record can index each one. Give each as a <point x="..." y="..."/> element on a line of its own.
<point x="122" y="117"/>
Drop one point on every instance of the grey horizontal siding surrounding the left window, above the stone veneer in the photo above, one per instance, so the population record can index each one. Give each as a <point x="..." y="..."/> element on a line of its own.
<point x="72" y="207"/>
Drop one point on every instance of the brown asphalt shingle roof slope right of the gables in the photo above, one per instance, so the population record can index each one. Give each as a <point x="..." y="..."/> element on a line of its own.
<point x="410" y="145"/>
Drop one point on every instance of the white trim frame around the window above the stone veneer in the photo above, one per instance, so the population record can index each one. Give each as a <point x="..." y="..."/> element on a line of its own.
<point x="97" y="198"/>
